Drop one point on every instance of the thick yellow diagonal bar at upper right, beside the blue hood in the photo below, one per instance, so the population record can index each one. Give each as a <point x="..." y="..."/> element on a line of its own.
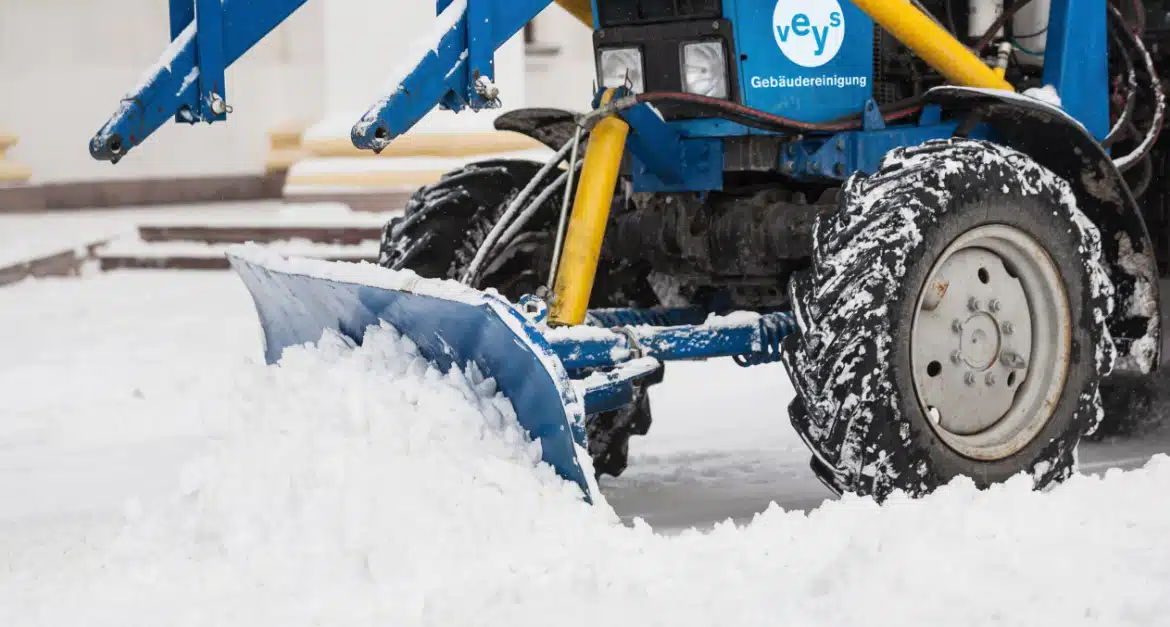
<point x="933" y="44"/>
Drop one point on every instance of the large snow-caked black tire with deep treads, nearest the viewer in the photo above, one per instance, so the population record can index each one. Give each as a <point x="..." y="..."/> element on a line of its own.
<point x="858" y="404"/>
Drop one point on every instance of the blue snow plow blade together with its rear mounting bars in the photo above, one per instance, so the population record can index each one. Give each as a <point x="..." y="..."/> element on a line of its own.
<point x="300" y="300"/>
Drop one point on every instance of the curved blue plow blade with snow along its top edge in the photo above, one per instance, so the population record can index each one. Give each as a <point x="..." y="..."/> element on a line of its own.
<point x="300" y="300"/>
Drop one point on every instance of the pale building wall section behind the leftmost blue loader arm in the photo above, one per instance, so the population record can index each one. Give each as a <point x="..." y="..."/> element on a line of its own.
<point x="65" y="65"/>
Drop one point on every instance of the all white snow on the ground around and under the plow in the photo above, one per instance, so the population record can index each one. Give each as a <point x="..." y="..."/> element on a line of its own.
<point x="357" y="487"/>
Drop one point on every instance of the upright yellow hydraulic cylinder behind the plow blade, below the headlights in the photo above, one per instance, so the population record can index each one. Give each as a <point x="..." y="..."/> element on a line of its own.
<point x="587" y="225"/>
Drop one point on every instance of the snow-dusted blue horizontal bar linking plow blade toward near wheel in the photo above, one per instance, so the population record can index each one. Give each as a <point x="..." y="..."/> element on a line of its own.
<point x="752" y="339"/>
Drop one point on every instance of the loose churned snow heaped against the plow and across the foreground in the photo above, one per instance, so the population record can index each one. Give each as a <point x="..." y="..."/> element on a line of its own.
<point x="363" y="488"/>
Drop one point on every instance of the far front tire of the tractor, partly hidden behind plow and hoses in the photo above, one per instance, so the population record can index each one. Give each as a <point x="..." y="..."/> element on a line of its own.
<point x="442" y="231"/>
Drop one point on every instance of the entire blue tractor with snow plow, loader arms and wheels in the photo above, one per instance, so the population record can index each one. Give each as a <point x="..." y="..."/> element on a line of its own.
<point x="937" y="213"/>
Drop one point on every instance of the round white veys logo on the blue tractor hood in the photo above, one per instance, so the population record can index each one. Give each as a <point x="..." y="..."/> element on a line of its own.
<point x="809" y="32"/>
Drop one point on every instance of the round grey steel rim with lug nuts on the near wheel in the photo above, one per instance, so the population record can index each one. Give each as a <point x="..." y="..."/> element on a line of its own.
<point x="990" y="342"/>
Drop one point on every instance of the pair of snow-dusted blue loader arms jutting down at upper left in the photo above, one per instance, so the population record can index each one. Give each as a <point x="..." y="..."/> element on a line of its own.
<point x="453" y="67"/>
